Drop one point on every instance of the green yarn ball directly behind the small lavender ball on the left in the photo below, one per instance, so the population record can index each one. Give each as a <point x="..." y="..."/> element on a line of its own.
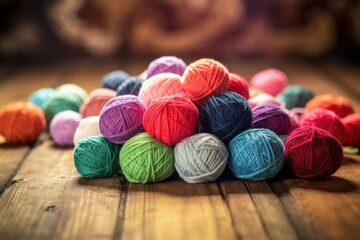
<point x="61" y="101"/>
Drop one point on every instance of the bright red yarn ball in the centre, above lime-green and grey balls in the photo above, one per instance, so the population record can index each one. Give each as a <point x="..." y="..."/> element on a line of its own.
<point x="171" y="119"/>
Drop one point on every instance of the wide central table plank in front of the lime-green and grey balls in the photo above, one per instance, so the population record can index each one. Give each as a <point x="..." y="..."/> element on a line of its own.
<point x="176" y="210"/>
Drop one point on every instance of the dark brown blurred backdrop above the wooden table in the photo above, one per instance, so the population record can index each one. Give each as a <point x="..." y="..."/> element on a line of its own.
<point x="60" y="29"/>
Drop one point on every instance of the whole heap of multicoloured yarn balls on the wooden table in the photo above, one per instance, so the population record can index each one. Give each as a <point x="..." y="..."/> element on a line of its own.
<point x="196" y="120"/>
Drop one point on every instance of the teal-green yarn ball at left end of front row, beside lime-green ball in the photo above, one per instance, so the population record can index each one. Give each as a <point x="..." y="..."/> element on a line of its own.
<point x="96" y="157"/>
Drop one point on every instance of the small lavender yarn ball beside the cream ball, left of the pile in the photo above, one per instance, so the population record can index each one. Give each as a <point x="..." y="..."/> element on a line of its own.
<point x="63" y="127"/>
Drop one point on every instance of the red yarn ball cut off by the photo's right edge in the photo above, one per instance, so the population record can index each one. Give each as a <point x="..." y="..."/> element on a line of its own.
<point x="352" y="130"/>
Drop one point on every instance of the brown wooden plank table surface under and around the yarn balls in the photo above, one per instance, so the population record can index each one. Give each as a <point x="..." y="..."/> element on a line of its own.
<point x="43" y="197"/>
